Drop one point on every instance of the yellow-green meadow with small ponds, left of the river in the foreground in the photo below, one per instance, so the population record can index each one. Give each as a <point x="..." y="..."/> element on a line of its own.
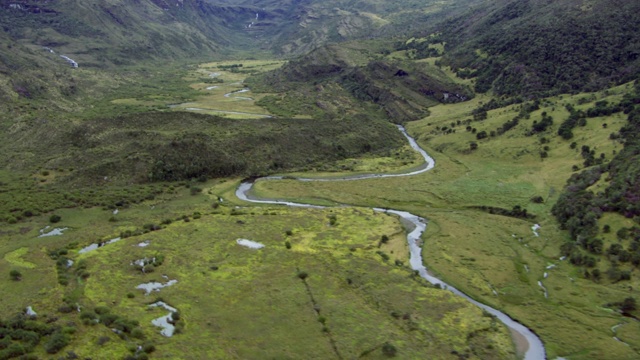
<point x="239" y="302"/>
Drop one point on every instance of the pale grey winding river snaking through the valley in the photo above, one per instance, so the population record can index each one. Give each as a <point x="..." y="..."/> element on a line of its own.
<point x="533" y="349"/>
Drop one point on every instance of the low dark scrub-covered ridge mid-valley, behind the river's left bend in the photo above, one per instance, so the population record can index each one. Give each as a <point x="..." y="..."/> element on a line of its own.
<point x="171" y="146"/>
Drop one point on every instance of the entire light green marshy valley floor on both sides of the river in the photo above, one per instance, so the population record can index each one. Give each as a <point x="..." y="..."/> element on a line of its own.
<point x="197" y="272"/>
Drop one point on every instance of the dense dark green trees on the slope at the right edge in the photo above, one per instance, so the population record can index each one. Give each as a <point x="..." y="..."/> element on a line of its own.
<point x="578" y="209"/>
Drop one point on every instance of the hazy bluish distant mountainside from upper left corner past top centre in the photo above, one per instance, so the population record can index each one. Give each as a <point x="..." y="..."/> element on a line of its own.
<point x="115" y="32"/>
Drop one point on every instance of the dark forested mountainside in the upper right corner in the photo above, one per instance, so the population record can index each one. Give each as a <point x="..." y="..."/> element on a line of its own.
<point x="538" y="48"/>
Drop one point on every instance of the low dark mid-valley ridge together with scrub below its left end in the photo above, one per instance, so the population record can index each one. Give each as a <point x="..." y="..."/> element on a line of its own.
<point x="172" y="146"/>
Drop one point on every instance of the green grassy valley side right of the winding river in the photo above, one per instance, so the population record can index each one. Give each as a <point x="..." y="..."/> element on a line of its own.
<point x="481" y="253"/>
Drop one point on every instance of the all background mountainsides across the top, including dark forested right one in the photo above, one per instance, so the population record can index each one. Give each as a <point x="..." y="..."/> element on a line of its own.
<point x="513" y="47"/>
